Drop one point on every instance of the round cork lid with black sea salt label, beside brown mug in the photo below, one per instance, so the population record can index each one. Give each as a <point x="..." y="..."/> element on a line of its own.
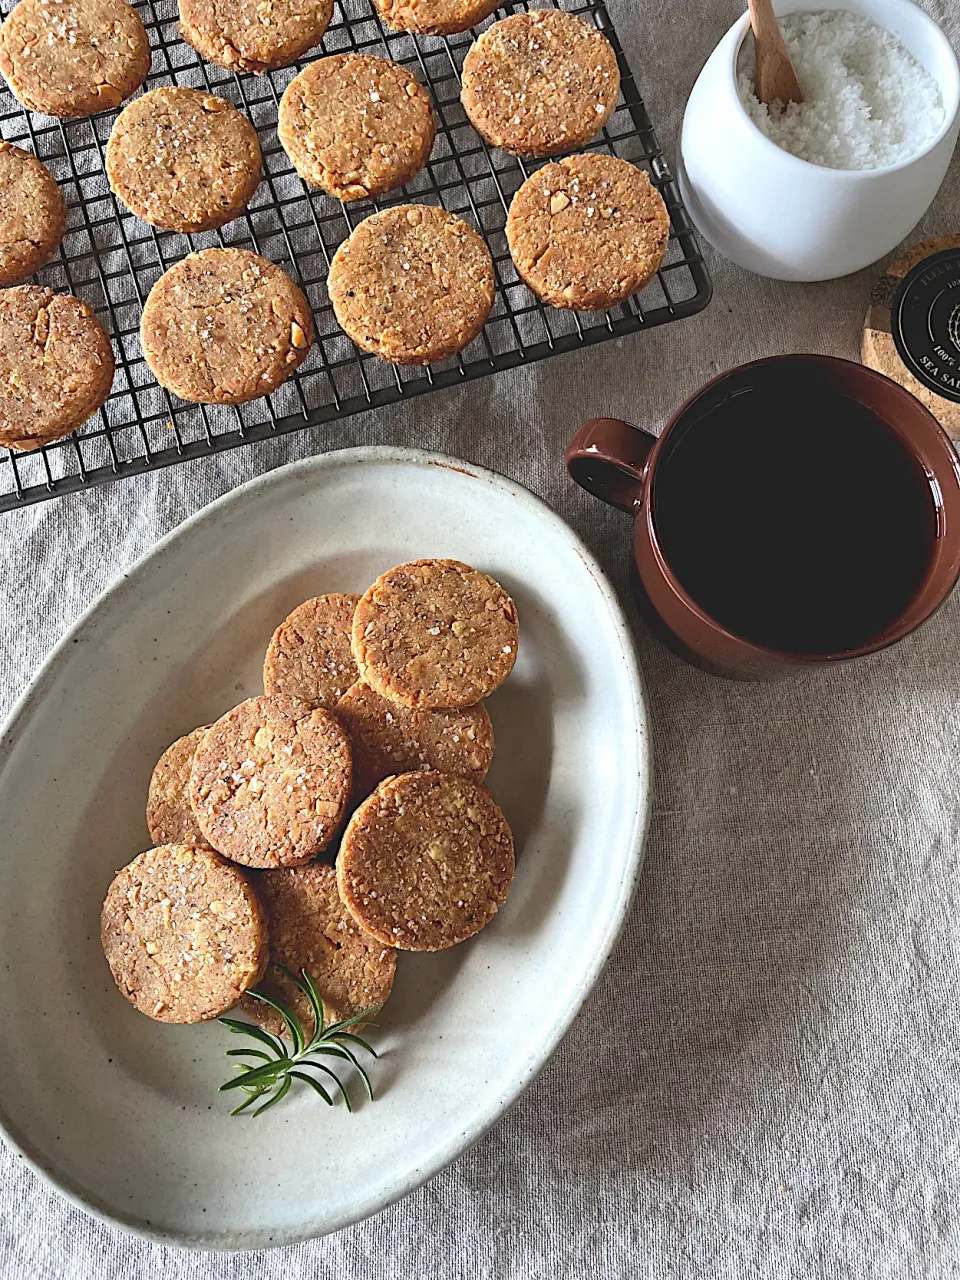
<point x="912" y="332"/>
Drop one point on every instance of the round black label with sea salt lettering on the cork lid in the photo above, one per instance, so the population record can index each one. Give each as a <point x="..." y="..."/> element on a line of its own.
<point x="925" y="319"/>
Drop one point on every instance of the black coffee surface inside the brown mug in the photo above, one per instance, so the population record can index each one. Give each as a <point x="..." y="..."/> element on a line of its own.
<point x="801" y="523"/>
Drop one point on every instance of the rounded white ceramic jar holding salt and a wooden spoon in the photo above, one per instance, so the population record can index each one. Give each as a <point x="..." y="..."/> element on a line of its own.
<point x="789" y="220"/>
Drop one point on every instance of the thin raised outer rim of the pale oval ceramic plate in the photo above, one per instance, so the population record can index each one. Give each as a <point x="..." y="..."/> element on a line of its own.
<point x="540" y="1054"/>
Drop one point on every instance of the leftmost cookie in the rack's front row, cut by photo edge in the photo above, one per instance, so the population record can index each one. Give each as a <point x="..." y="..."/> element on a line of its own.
<point x="57" y="365"/>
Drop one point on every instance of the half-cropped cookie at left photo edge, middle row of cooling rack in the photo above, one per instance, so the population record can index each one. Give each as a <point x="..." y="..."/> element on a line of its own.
<point x="33" y="216"/>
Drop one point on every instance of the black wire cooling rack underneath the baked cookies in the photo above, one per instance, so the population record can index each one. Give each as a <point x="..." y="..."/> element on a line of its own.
<point x="111" y="259"/>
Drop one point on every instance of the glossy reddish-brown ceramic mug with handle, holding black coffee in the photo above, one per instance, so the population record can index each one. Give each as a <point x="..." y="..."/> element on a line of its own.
<point x="619" y="464"/>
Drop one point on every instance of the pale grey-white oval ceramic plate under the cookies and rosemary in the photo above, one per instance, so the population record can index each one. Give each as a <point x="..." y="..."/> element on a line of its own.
<point x="124" y="1114"/>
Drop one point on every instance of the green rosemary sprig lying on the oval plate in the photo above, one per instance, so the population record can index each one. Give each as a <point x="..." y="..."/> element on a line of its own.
<point x="273" y="1068"/>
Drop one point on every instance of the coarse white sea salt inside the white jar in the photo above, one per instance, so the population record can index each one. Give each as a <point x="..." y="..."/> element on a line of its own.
<point x="868" y="103"/>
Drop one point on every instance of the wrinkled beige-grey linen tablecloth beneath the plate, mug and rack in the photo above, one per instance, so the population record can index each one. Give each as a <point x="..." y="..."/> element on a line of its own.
<point x="767" y="1080"/>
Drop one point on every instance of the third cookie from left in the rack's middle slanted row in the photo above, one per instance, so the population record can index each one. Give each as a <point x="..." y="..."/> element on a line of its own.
<point x="356" y="126"/>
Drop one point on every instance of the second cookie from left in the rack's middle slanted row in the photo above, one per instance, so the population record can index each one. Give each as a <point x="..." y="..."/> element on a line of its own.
<point x="184" y="161"/>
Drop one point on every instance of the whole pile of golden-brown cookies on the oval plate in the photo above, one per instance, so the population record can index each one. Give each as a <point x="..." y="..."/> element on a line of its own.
<point x="371" y="743"/>
